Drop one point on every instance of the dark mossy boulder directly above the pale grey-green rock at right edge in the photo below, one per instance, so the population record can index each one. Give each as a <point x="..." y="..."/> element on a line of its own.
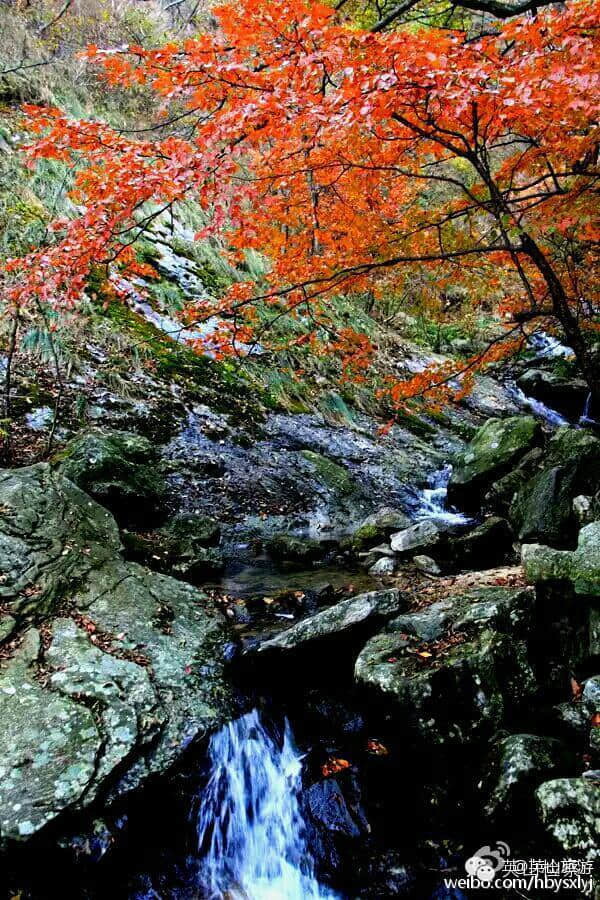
<point x="542" y="510"/>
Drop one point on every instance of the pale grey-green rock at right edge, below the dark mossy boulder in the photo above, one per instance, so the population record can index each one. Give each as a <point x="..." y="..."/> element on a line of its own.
<point x="581" y="567"/>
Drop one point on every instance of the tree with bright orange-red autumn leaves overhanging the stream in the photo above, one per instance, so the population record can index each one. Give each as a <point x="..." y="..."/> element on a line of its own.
<point x="351" y="159"/>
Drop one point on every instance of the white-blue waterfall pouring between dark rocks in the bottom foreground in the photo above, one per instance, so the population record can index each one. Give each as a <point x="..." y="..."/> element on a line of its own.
<point x="251" y="833"/>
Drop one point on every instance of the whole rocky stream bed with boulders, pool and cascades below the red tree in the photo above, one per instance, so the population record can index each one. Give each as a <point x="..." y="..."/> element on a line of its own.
<point x="281" y="656"/>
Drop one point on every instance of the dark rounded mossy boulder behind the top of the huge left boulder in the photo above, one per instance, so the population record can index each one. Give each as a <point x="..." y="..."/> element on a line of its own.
<point x="119" y="470"/>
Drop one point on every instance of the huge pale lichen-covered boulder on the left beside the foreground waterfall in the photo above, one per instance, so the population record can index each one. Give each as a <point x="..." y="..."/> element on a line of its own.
<point x="109" y="671"/>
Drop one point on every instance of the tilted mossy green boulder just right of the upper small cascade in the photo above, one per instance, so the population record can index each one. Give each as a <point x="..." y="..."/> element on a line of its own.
<point x="496" y="448"/>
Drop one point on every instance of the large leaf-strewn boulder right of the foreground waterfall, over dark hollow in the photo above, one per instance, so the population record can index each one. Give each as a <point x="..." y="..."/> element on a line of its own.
<point x="455" y="669"/>
